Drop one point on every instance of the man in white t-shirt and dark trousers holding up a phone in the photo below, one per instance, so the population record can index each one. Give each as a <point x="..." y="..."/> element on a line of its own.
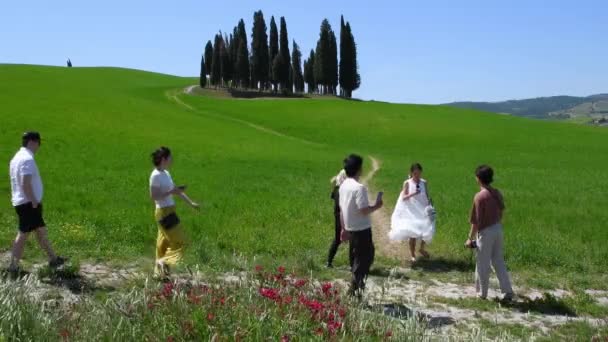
<point x="355" y="209"/>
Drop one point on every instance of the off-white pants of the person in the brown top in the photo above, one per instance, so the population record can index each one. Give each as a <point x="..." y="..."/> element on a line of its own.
<point x="489" y="252"/>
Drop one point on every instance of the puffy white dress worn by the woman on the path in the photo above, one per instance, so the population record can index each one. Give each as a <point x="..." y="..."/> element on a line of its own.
<point x="414" y="217"/>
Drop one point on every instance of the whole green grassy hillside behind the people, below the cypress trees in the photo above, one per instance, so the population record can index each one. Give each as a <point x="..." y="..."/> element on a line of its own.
<point x="261" y="169"/>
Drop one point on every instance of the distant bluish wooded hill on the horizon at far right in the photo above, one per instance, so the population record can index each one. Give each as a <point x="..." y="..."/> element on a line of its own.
<point x="554" y="107"/>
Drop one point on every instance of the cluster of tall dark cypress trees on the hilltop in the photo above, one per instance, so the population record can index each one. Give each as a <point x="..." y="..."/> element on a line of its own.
<point x="269" y="65"/>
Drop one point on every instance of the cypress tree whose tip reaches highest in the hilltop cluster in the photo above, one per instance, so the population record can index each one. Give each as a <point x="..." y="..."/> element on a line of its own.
<point x="260" y="62"/>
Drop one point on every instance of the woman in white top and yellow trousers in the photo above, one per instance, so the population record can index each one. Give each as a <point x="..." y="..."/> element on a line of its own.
<point x="171" y="240"/>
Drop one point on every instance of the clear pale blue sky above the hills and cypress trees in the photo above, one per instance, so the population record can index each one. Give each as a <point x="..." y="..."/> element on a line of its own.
<point x="409" y="51"/>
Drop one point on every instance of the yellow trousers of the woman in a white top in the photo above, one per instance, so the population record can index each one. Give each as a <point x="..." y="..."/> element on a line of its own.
<point x="169" y="243"/>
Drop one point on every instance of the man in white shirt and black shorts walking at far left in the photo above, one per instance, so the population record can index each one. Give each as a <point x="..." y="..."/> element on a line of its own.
<point x="27" y="190"/>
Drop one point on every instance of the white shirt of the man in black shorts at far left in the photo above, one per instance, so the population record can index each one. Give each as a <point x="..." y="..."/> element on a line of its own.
<point x="21" y="165"/>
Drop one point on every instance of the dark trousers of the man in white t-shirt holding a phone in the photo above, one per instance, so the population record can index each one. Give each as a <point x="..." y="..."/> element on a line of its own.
<point x="362" y="257"/>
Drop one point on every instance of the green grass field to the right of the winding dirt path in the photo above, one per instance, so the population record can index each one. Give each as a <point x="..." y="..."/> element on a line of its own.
<point x="552" y="174"/>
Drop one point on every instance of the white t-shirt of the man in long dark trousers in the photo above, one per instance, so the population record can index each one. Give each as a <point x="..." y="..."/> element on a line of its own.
<point x="353" y="196"/>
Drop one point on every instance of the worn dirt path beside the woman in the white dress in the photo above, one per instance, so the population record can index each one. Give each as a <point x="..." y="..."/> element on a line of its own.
<point x="381" y="222"/>
